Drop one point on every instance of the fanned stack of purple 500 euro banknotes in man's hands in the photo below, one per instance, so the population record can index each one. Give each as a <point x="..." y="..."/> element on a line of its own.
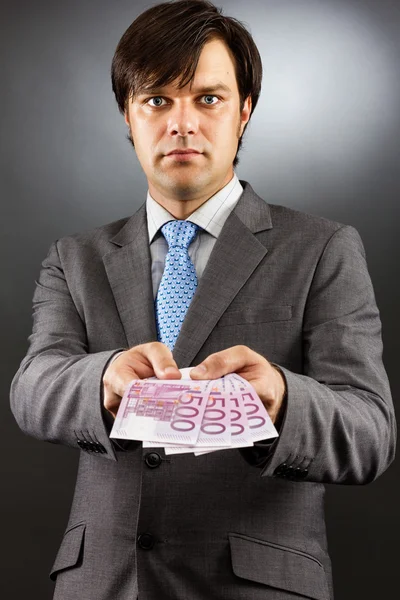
<point x="187" y="415"/>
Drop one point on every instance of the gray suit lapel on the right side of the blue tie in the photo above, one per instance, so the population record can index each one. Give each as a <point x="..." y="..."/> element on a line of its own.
<point x="236" y="254"/>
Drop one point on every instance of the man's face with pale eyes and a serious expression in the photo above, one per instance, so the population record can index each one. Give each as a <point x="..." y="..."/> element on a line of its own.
<point x="203" y="116"/>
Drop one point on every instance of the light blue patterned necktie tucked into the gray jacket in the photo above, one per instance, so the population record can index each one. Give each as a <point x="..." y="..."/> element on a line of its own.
<point x="178" y="283"/>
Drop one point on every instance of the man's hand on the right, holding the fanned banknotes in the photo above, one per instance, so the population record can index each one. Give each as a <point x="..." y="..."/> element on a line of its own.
<point x="264" y="377"/>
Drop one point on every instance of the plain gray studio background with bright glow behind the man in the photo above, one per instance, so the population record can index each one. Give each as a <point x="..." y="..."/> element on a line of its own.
<point x="323" y="139"/>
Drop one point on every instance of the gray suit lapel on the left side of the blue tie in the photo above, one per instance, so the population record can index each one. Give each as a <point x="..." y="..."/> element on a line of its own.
<point x="128" y="268"/>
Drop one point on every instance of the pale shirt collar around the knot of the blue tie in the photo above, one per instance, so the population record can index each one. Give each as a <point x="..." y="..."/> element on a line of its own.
<point x="210" y="216"/>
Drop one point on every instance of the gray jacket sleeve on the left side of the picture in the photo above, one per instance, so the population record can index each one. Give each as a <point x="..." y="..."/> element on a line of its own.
<point x="57" y="392"/>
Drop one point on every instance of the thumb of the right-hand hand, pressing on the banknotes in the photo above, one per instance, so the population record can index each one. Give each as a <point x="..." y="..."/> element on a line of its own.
<point x="224" y="362"/>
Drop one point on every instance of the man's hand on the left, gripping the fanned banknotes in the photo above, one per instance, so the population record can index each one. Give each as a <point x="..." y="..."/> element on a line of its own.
<point x="139" y="362"/>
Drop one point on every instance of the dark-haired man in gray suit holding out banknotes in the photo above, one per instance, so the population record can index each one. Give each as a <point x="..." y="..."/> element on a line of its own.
<point x="278" y="296"/>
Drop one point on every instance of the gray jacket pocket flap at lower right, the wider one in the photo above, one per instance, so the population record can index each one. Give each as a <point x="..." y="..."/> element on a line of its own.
<point x="278" y="566"/>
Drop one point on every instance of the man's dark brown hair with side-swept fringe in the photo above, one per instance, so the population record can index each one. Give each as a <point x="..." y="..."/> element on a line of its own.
<point x="164" y="44"/>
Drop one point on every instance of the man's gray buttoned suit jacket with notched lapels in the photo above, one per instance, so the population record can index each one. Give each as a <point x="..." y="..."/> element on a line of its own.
<point x="233" y="524"/>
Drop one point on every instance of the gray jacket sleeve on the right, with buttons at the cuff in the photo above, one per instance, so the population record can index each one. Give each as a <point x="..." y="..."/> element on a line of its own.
<point x="339" y="424"/>
